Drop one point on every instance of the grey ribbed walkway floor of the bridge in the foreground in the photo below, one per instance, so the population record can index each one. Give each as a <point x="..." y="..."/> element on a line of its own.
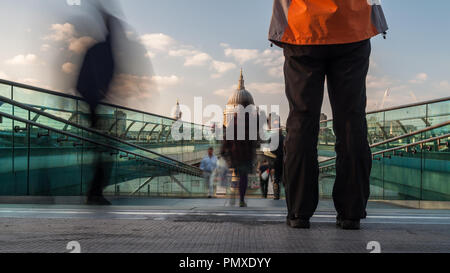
<point x="212" y="226"/>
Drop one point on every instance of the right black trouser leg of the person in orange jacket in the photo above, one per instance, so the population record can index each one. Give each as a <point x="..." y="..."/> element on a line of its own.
<point x="346" y="75"/>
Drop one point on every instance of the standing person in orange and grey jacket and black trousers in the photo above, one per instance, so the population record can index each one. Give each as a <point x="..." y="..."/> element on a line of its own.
<point x="326" y="39"/>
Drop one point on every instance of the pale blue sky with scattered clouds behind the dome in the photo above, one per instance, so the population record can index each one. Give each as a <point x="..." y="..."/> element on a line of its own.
<point x="197" y="47"/>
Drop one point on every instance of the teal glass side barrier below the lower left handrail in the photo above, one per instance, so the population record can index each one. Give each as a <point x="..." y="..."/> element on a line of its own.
<point x="33" y="145"/>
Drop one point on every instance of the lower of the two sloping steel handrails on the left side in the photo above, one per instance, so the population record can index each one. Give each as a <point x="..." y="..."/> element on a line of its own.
<point x="45" y="127"/>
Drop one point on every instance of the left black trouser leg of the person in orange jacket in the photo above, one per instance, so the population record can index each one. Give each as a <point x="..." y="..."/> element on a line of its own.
<point x="305" y="79"/>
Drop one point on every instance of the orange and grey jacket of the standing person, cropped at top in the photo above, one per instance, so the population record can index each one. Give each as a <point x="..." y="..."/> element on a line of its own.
<point x="322" y="22"/>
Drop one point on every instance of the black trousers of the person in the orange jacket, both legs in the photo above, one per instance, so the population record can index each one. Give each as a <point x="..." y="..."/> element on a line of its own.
<point x="345" y="69"/>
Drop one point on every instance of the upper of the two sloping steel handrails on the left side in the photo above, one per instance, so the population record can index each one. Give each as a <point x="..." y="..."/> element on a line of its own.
<point x="42" y="113"/>
